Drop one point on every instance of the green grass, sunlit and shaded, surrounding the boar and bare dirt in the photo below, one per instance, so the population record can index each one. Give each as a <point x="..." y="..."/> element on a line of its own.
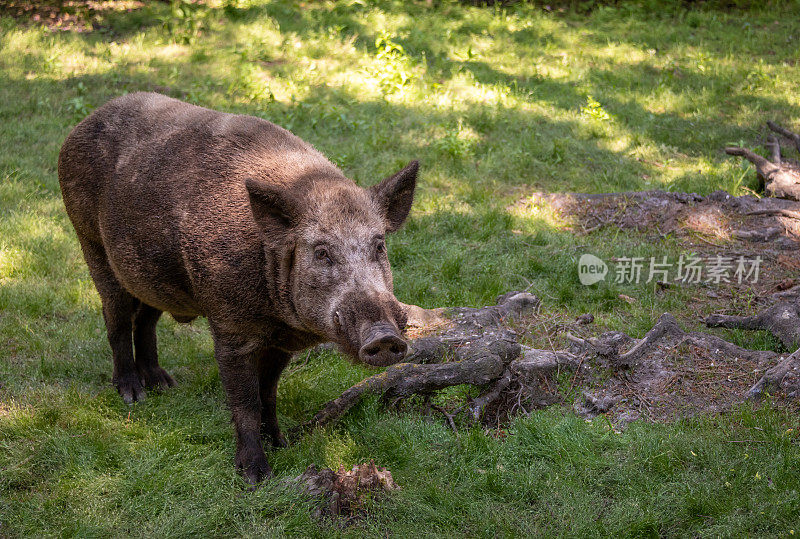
<point x="497" y="104"/>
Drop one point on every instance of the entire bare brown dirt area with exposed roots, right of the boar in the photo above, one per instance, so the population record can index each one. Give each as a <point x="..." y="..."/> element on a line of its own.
<point x="669" y="373"/>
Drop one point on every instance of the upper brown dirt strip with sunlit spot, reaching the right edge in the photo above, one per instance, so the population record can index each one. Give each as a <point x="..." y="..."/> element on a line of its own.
<point x="715" y="225"/>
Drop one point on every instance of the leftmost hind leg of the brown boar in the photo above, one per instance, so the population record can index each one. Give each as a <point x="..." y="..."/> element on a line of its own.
<point x="118" y="310"/>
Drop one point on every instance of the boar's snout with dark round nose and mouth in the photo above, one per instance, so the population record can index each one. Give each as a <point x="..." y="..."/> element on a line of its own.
<point x="377" y="343"/>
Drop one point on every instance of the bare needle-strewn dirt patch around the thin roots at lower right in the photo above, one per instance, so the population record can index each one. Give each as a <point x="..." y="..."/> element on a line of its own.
<point x="679" y="374"/>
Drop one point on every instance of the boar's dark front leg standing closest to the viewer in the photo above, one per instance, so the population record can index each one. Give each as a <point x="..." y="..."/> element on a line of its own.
<point x="239" y="360"/>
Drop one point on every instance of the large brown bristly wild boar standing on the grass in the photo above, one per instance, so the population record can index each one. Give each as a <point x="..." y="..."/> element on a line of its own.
<point x="194" y="212"/>
